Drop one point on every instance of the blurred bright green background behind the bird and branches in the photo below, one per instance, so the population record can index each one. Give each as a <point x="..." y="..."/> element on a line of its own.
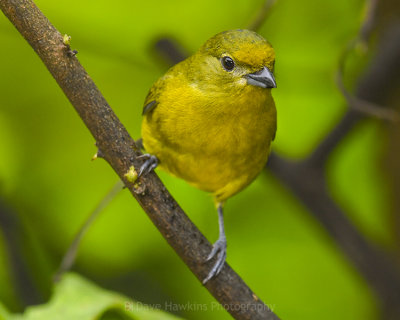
<point x="48" y="185"/>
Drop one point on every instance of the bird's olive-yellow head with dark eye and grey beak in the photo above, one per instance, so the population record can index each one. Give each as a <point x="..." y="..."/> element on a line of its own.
<point x="236" y="59"/>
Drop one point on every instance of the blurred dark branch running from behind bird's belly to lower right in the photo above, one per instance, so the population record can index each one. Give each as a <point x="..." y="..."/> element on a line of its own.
<point x="308" y="184"/>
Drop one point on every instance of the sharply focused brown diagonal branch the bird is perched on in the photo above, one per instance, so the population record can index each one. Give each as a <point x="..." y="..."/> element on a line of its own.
<point x="120" y="152"/>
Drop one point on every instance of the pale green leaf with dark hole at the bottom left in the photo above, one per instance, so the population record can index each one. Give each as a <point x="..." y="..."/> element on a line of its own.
<point x="76" y="298"/>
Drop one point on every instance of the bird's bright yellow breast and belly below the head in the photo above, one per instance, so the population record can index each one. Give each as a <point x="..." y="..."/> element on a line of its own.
<point x="217" y="151"/>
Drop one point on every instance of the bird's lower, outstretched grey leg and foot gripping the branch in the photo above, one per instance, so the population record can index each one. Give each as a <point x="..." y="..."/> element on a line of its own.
<point x="218" y="247"/>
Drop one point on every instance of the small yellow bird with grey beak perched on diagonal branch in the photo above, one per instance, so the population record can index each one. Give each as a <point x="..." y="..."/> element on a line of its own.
<point x="211" y="118"/>
